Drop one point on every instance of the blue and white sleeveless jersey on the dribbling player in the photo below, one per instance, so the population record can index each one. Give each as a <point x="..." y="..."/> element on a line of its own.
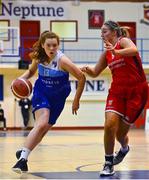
<point x="53" y="82"/>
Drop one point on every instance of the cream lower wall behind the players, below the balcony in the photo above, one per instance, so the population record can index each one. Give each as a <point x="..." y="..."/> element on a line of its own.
<point x="91" y="112"/>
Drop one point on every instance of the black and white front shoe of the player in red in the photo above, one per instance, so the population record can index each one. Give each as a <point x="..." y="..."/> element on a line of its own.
<point x="108" y="169"/>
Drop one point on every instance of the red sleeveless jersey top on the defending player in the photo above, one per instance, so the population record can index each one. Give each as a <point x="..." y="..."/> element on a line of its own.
<point x="126" y="70"/>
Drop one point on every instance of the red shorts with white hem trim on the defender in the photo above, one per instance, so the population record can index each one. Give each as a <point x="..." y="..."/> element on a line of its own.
<point x="127" y="101"/>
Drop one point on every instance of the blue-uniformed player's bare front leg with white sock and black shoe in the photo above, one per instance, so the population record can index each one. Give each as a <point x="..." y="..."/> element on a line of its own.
<point x="35" y="136"/>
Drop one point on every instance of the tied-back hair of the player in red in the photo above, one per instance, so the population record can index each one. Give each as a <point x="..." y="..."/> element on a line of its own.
<point x="114" y="26"/>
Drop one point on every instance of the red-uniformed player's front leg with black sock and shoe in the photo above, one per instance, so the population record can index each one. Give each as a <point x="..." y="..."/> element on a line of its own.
<point x="110" y="128"/>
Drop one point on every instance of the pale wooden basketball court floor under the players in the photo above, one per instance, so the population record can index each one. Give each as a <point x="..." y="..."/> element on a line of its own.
<point x="73" y="154"/>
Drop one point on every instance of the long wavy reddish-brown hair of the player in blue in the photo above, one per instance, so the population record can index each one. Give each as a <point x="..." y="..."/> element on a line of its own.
<point x="38" y="52"/>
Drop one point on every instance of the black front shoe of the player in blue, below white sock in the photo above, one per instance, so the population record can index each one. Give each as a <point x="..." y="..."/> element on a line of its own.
<point x="20" y="166"/>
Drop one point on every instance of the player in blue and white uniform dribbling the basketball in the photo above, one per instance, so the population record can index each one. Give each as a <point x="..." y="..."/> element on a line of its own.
<point x="50" y="91"/>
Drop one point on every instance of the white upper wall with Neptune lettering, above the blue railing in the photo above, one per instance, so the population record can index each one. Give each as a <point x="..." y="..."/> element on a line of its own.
<point x="16" y="11"/>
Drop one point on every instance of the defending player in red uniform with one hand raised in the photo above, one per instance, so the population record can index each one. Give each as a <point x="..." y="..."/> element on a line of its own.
<point x="127" y="94"/>
